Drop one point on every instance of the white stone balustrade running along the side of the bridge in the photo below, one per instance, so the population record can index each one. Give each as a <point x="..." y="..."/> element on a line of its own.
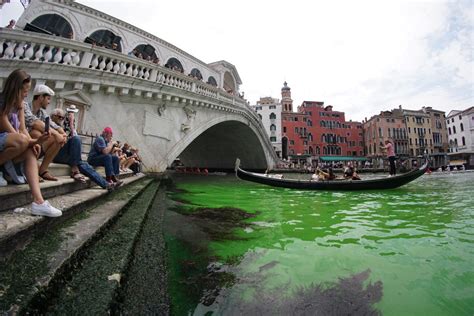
<point x="39" y="48"/>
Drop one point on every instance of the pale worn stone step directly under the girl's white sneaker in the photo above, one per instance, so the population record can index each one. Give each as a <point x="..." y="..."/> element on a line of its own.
<point x="17" y="228"/>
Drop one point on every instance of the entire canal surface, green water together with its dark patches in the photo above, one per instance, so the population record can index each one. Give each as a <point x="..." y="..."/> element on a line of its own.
<point x="239" y="248"/>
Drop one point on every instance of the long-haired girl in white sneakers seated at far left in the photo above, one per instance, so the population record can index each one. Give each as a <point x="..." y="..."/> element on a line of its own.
<point x="16" y="145"/>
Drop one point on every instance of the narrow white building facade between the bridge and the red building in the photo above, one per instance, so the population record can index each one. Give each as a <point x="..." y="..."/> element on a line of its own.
<point x="269" y="111"/>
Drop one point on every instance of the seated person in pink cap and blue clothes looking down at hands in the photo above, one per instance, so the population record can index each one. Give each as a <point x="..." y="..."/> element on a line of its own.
<point x="102" y="154"/>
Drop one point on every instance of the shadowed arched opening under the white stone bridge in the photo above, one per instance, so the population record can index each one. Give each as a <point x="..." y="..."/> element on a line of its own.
<point x="219" y="142"/>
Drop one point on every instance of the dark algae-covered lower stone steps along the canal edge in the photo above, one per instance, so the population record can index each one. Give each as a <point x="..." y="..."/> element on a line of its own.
<point x="67" y="251"/>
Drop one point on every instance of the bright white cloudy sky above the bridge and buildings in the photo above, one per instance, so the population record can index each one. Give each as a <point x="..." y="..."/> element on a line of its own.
<point x="359" y="56"/>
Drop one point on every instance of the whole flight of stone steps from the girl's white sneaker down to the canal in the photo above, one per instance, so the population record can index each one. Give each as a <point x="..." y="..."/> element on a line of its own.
<point x="31" y="277"/>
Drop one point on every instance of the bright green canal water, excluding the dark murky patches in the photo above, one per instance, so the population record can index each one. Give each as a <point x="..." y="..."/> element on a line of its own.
<point x="416" y="240"/>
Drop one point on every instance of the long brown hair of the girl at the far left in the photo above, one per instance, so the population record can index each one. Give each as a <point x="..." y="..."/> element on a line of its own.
<point x="12" y="88"/>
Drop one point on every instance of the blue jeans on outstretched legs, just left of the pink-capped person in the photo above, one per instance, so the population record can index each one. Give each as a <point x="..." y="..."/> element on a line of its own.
<point x="70" y="154"/>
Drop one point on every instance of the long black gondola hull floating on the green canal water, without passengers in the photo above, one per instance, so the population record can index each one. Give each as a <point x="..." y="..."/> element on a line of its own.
<point x="343" y="185"/>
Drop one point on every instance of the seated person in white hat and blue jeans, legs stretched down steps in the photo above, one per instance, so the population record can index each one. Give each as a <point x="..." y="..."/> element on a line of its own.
<point x="70" y="153"/>
